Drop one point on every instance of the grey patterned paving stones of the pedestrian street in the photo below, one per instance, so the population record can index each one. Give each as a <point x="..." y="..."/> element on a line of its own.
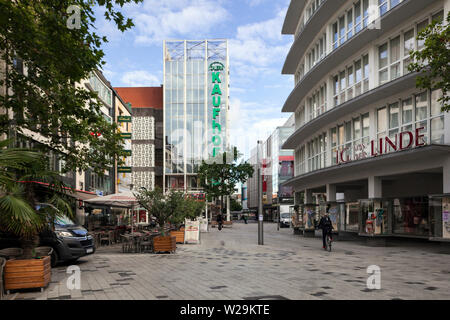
<point x="229" y="264"/>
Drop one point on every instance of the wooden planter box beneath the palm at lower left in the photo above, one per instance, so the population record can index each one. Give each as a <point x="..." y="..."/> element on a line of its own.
<point x="29" y="273"/>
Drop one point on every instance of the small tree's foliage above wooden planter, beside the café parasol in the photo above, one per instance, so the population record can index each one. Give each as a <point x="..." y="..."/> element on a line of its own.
<point x="162" y="207"/>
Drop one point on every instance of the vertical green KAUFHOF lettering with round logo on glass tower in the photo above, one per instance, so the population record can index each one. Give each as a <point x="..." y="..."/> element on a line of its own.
<point x="215" y="68"/>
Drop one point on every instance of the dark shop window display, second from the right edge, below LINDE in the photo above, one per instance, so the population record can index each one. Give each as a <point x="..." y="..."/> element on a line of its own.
<point x="411" y="216"/>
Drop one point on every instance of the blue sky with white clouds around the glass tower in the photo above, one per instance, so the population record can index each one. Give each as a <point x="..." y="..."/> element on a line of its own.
<point x="257" y="52"/>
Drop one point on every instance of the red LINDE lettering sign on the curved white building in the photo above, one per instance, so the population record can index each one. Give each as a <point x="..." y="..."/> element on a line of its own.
<point x="381" y="145"/>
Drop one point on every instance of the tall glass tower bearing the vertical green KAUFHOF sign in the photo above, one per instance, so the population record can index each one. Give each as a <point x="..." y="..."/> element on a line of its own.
<point x="196" y="105"/>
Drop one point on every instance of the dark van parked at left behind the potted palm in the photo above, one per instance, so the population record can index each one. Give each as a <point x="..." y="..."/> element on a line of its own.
<point x="69" y="241"/>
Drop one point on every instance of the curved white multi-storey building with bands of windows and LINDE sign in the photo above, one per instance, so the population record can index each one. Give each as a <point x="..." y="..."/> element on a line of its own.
<point x="370" y="147"/>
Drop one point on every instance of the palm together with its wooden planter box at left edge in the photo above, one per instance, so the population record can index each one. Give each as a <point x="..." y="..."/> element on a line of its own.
<point x="21" y="217"/>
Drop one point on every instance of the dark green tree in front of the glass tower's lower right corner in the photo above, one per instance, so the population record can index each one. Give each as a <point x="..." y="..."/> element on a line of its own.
<point x="219" y="178"/>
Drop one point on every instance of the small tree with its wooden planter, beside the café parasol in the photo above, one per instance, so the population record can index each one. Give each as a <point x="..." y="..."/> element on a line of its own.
<point x="162" y="207"/>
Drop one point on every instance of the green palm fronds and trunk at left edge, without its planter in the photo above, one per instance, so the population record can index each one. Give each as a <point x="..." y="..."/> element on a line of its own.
<point x="18" y="213"/>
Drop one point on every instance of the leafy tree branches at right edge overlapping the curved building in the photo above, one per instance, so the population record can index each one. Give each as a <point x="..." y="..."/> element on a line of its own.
<point x="433" y="61"/>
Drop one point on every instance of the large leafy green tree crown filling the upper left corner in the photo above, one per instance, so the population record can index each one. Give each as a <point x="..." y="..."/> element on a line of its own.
<point x="47" y="100"/>
